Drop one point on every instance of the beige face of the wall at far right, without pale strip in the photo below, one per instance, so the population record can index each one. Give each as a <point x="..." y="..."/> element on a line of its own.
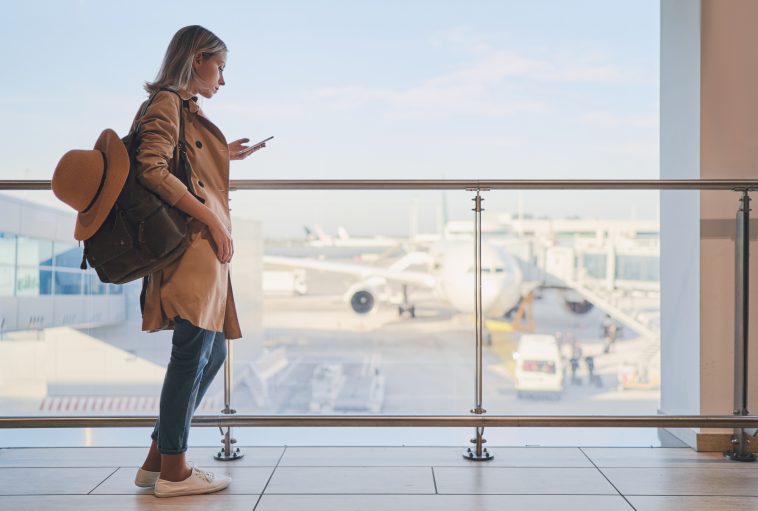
<point x="728" y="150"/>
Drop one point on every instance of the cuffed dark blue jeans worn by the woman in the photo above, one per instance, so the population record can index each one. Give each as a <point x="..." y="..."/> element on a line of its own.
<point x="196" y="357"/>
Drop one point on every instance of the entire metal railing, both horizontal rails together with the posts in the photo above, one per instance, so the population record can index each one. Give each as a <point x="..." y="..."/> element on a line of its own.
<point x="739" y="420"/>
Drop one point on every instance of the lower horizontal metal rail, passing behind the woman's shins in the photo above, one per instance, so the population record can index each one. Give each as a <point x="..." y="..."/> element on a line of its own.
<point x="400" y="421"/>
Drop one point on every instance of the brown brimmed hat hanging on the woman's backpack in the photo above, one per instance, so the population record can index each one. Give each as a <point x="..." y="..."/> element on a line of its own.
<point x="90" y="181"/>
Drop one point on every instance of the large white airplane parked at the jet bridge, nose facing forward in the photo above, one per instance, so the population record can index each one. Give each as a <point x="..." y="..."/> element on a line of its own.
<point x="449" y="273"/>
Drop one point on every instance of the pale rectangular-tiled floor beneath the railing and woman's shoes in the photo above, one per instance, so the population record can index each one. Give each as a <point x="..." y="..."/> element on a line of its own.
<point x="391" y="478"/>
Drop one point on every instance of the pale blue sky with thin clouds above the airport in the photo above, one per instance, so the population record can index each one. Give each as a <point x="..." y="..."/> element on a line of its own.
<point x="506" y="89"/>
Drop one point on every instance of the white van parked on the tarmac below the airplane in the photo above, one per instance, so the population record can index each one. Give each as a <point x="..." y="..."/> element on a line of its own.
<point x="539" y="366"/>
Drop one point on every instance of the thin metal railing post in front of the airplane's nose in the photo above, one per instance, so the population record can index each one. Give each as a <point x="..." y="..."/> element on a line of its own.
<point x="479" y="453"/>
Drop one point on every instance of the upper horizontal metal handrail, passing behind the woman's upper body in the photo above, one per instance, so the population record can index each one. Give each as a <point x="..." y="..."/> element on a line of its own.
<point x="457" y="184"/>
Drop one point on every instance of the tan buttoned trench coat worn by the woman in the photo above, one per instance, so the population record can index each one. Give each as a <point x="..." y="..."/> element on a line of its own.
<point x="196" y="287"/>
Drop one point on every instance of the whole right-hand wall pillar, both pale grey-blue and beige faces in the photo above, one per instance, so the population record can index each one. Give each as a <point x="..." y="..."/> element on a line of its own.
<point x="709" y="130"/>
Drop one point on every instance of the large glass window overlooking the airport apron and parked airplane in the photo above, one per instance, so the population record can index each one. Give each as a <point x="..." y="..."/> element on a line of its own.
<point x="372" y="312"/>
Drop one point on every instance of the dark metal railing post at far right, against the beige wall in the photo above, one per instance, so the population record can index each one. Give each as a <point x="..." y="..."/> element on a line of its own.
<point x="740" y="450"/>
